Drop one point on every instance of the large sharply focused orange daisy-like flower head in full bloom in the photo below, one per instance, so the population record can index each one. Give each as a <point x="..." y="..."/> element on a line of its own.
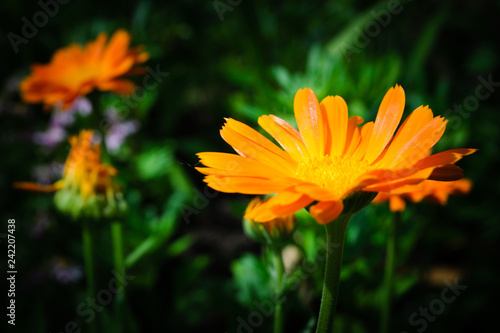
<point x="329" y="157"/>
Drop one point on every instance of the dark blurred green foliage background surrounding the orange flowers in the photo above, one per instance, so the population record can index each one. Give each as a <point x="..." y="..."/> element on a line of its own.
<point x="194" y="269"/>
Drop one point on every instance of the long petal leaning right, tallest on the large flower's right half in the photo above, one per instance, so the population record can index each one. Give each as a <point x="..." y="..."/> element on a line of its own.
<point x="388" y="117"/>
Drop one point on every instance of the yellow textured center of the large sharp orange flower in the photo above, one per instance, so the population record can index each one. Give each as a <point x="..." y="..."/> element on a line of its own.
<point x="337" y="174"/>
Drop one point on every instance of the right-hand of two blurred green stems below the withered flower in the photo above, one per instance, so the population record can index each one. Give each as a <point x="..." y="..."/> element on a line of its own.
<point x="116" y="233"/>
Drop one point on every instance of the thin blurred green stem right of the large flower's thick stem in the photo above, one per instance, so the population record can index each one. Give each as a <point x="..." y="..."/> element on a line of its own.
<point x="389" y="273"/>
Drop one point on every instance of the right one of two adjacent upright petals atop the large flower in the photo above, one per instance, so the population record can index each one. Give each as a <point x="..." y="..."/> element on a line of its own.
<point x="335" y="114"/>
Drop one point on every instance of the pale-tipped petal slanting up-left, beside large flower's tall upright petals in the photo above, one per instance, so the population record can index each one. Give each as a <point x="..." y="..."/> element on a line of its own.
<point x="287" y="136"/>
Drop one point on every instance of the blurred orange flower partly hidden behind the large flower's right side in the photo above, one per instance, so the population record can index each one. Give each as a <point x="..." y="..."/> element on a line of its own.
<point x="433" y="191"/>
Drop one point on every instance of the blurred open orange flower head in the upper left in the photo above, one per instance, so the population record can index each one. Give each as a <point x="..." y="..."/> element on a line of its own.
<point x="75" y="71"/>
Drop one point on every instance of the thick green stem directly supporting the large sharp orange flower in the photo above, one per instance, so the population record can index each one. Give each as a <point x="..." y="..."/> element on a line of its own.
<point x="335" y="236"/>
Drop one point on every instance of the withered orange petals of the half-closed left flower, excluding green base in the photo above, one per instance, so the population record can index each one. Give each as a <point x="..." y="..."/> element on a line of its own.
<point x="83" y="171"/>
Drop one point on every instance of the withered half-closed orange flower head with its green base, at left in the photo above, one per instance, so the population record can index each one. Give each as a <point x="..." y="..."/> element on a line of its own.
<point x="87" y="187"/>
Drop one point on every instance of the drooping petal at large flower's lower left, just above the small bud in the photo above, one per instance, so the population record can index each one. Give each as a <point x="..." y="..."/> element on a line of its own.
<point x="282" y="204"/>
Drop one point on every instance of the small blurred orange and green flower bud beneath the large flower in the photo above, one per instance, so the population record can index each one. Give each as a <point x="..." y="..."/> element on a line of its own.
<point x="274" y="232"/>
